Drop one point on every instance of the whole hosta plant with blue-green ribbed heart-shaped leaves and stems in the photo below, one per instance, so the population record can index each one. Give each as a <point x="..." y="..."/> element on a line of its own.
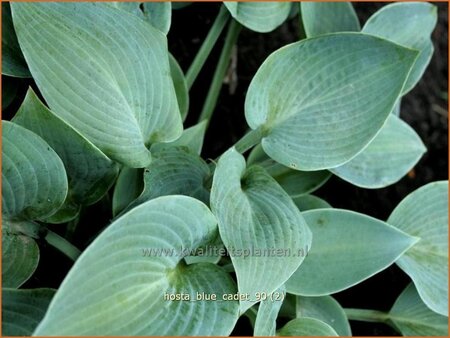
<point x="198" y="246"/>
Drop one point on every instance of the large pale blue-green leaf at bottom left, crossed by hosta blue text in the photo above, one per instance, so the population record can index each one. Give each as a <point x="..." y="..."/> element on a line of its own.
<point x="120" y="285"/>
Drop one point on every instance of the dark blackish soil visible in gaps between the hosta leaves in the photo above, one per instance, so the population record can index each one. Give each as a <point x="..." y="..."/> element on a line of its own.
<point x="424" y="108"/>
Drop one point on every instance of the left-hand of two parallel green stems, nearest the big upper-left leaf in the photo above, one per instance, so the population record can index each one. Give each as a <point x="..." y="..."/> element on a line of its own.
<point x="207" y="46"/>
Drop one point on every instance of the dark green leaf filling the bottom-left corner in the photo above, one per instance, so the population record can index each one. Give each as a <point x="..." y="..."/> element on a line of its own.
<point x="22" y="310"/>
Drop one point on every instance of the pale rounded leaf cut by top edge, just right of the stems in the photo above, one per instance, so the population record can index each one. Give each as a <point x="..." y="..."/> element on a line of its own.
<point x="261" y="17"/>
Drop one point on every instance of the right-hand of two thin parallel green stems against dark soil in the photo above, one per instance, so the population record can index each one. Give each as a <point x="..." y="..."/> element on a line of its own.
<point x="221" y="69"/>
